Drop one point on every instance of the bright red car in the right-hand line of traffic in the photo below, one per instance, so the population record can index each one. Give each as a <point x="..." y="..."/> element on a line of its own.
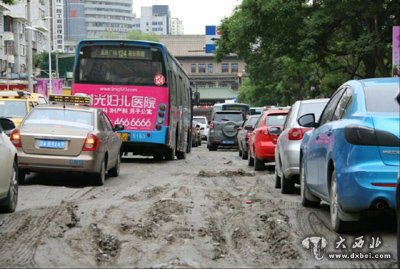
<point x="262" y="142"/>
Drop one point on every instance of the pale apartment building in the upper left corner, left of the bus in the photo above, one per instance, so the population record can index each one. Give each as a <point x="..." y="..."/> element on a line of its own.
<point x="18" y="24"/>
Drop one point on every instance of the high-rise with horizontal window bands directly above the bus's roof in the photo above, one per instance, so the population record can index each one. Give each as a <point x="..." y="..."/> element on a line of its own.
<point x="95" y="18"/>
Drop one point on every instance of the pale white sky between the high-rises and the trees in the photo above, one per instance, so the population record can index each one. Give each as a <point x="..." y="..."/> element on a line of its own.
<point x="194" y="14"/>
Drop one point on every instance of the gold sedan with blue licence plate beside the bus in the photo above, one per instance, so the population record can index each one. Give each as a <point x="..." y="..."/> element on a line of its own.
<point x="60" y="137"/>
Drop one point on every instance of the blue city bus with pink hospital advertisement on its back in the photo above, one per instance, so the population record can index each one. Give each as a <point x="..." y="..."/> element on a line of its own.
<point x="141" y="85"/>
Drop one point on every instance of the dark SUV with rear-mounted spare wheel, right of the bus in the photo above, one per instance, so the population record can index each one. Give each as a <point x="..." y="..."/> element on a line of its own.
<point x="224" y="128"/>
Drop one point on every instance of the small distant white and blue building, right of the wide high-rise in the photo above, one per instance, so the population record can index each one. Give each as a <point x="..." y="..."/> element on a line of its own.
<point x="155" y="19"/>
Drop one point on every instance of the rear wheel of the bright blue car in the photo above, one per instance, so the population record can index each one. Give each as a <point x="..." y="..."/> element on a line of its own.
<point x="338" y="225"/>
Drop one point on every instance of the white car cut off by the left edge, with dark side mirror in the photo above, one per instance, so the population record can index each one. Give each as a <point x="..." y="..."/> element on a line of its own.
<point x="8" y="168"/>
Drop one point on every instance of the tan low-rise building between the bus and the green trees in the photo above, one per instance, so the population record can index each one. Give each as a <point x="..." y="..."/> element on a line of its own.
<point x="216" y="82"/>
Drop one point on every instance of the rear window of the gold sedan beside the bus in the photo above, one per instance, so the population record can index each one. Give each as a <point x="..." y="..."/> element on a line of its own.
<point x="63" y="117"/>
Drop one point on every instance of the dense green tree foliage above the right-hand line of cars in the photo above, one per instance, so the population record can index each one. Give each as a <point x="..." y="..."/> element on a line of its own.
<point x="291" y="47"/>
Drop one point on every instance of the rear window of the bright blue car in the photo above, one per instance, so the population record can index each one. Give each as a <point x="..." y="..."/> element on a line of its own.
<point x="378" y="95"/>
